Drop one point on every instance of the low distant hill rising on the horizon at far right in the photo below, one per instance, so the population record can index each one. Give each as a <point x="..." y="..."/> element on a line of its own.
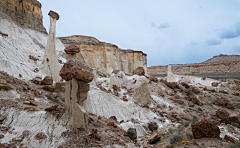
<point x="223" y="58"/>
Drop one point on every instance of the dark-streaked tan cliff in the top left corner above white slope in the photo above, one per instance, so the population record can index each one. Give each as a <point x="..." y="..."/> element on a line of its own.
<point x="25" y="12"/>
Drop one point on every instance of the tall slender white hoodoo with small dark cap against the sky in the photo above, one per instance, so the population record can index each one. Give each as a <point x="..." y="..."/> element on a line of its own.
<point x="50" y="64"/>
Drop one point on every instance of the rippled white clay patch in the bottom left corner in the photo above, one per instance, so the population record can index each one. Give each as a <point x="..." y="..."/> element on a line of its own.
<point x="34" y="123"/>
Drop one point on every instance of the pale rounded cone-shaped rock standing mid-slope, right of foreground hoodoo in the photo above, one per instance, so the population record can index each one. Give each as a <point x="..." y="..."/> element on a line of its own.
<point x="141" y="91"/>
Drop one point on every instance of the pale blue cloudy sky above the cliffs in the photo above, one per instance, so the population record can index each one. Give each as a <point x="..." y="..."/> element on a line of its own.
<point x="169" y="31"/>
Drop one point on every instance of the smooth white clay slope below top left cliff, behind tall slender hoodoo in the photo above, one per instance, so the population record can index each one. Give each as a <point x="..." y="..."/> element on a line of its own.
<point x="18" y="45"/>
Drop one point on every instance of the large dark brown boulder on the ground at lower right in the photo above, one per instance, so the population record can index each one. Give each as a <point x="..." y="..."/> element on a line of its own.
<point x="205" y="129"/>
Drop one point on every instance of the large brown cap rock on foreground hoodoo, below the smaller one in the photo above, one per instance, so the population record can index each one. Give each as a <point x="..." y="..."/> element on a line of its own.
<point x="76" y="70"/>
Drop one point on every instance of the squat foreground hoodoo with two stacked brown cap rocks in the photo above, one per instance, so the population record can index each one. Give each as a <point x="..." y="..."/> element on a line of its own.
<point x="77" y="77"/>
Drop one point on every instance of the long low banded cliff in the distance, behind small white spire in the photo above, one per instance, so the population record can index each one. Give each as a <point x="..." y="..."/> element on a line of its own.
<point x="224" y="68"/>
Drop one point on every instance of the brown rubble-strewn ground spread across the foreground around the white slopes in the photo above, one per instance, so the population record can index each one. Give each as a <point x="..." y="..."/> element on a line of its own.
<point x="196" y="115"/>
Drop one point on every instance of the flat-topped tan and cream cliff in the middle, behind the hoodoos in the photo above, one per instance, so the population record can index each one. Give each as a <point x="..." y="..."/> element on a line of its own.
<point x="101" y="55"/>
